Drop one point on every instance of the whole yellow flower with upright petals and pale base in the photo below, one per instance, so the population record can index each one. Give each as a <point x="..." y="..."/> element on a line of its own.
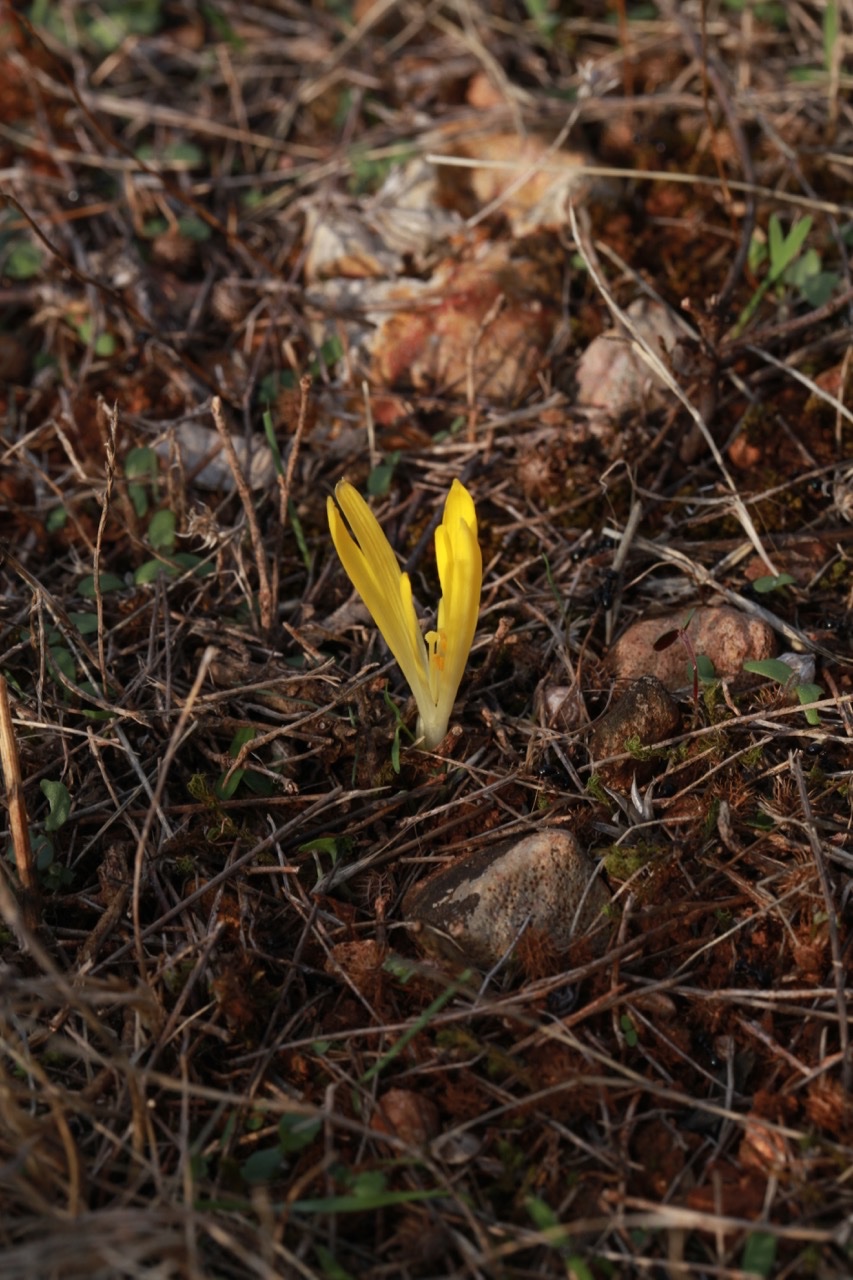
<point x="434" y="665"/>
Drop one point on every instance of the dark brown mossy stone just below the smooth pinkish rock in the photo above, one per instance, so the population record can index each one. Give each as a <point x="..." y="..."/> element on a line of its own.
<point x="645" y="712"/>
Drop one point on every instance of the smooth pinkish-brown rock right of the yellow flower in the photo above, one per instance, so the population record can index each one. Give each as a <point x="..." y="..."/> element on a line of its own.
<point x="719" y="632"/>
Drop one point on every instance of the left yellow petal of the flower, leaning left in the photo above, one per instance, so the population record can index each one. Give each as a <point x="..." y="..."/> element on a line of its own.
<point x="373" y="570"/>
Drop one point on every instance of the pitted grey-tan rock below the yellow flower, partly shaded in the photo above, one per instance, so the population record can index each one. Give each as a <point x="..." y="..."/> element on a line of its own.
<point x="475" y="911"/>
